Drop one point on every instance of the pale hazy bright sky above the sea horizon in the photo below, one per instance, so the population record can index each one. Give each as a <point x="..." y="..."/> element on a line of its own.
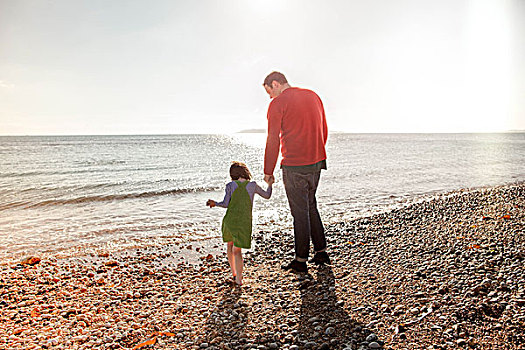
<point x="71" y="67"/>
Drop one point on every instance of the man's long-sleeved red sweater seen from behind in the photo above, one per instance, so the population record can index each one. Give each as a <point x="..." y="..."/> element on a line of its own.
<point x="297" y="123"/>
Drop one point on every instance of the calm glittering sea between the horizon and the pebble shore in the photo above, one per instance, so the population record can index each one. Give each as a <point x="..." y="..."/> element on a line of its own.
<point x="70" y="195"/>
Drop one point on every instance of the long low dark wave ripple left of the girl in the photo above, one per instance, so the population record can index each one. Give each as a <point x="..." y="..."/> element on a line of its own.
<point x="103" y="198"/>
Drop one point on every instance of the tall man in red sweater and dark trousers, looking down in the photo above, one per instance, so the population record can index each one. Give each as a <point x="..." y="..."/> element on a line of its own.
<point x="297" y="124"/>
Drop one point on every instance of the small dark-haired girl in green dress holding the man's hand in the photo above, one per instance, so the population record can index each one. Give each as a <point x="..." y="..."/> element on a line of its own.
<point x="237" y="223"/>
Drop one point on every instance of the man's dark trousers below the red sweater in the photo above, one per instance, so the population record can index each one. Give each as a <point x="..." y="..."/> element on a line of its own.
<point x="300" y="189"/>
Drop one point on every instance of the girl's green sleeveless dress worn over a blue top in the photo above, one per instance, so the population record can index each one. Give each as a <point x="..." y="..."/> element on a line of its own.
<point x="237" y="223"/>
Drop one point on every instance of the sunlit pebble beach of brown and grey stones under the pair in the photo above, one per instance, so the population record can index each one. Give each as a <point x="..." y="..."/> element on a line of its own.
<point x="447" y="272"/>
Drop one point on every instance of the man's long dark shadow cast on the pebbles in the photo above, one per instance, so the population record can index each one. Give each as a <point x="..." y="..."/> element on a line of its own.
<point x="323" y="320"/>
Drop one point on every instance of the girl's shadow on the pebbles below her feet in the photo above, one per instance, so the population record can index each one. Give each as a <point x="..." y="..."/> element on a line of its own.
<point x="227" y="321"/>
